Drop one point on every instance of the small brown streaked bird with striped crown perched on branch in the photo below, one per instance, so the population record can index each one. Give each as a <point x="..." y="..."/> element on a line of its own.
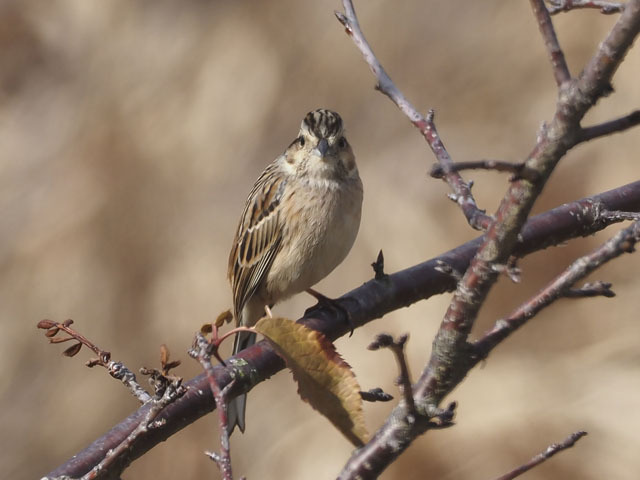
<point x="299" y="223"/>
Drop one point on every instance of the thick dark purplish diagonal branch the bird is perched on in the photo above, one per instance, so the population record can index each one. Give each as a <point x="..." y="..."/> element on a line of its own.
<point x="368" y="302"/>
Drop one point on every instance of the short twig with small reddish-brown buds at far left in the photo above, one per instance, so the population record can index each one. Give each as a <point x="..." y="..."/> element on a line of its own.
<point x="116" y="369"/>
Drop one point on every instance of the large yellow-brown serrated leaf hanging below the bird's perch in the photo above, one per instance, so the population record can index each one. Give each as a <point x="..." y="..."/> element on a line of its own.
<point x="324" y="379"/>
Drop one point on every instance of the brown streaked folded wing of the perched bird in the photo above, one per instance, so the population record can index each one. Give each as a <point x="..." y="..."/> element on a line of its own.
<point x="258" y="238"/>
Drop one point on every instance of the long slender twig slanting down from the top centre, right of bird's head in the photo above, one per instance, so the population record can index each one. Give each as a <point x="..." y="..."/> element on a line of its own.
<point x="461" y="190"/>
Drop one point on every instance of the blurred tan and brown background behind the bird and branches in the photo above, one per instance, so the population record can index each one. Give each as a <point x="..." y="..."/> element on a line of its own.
<point x="131" y="133"/>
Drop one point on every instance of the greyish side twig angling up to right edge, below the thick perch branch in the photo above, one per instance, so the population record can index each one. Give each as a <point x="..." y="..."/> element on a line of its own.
<point x="560" y="286"/>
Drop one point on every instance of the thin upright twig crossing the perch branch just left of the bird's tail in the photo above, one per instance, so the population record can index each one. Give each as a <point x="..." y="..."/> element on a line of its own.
<point x="201" y="351"/>
